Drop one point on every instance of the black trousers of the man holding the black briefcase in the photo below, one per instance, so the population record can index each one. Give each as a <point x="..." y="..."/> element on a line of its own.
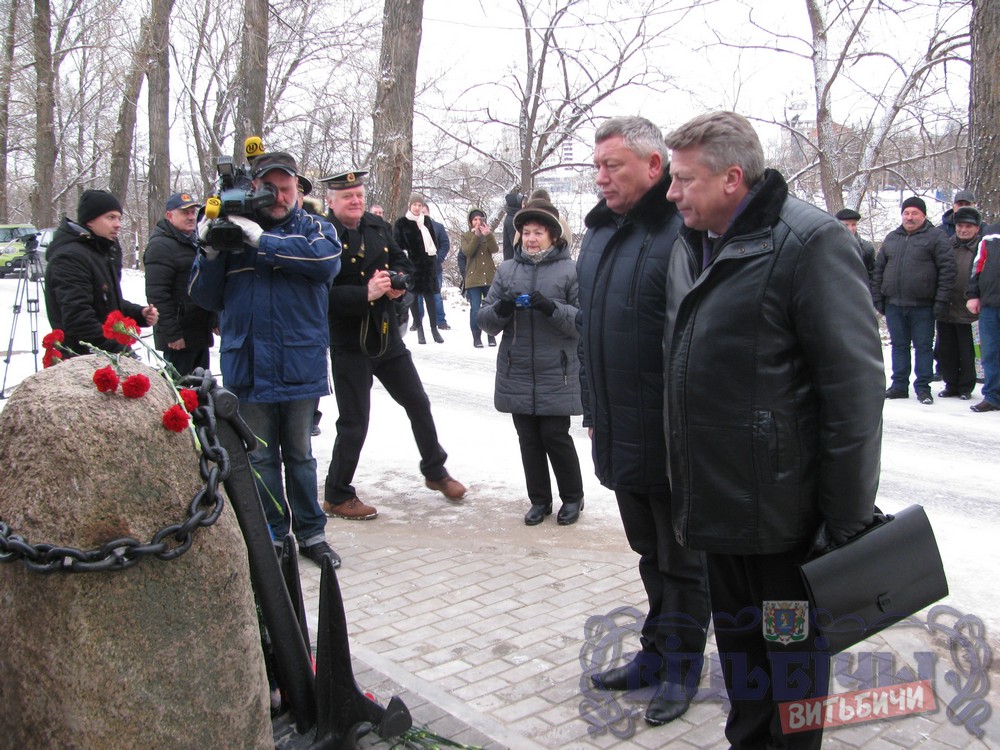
<point x="759" y="672"/>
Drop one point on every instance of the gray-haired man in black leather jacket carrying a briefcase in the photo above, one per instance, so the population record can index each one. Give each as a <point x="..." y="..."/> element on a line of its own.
<point x="773" y="408"/>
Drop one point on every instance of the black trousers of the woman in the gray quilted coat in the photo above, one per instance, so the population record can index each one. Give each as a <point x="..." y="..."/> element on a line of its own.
<point x="544" y="440"/>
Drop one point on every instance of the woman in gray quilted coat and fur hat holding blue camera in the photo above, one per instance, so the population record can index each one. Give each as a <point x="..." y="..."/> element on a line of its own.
<point x="533" y="300"/>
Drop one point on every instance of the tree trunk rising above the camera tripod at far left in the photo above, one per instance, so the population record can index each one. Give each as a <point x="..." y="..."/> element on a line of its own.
<point x="42" y="214"/>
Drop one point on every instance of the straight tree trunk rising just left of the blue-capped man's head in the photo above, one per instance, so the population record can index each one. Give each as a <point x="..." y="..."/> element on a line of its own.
<point x="159" y="110"/>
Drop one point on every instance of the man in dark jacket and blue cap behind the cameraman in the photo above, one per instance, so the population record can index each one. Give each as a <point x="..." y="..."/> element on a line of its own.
<point x="184" y="330"/>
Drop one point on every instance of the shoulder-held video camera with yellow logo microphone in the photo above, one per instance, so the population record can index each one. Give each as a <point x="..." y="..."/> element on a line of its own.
<point x="235" y="196"/>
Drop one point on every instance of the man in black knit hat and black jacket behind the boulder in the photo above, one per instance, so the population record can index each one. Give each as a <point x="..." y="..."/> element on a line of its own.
<point x="84" y="272"/>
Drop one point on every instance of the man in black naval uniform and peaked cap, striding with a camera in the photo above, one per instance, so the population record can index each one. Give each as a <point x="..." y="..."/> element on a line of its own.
<point x="365" y="341"/>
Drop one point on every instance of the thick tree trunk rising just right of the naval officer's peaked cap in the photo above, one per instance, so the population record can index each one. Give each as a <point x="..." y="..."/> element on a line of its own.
<point x="392" y="132"/>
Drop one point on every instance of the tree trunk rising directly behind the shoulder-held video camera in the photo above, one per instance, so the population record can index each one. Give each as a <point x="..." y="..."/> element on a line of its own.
<point x="253" y="76"/>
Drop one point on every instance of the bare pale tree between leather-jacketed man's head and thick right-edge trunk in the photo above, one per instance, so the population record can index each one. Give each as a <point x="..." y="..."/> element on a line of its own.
<point x="900" y="104"/>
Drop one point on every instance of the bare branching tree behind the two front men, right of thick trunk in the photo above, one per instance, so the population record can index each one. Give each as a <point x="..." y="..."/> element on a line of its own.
<point x="575" y="58"/>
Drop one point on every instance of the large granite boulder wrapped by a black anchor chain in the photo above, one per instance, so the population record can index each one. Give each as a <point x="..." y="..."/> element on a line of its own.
<point x="164" y="654"/>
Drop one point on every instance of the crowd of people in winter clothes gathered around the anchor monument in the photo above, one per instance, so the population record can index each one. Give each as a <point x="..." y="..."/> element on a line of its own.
<point x="718" y="336"/>
